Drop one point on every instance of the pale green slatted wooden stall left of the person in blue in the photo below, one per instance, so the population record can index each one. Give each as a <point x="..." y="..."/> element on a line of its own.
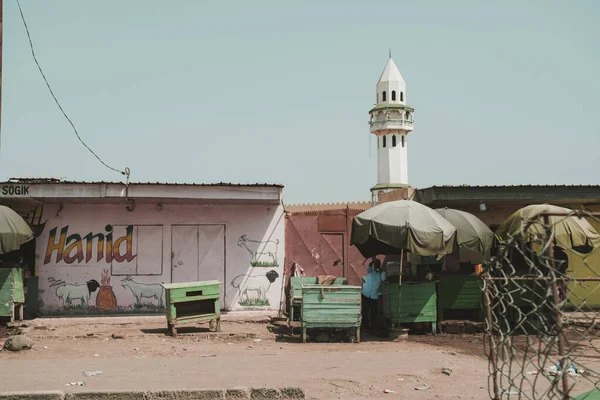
<point x="331" y="306"/>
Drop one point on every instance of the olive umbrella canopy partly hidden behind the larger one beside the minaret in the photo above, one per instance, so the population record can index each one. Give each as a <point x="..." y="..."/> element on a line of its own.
<point x="473" y="234"/>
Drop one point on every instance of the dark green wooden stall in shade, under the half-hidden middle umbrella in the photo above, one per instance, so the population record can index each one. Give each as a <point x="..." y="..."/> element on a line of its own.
<point x="459" y="292"/>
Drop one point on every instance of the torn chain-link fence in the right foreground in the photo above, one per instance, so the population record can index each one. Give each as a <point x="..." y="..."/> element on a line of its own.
<point x="542" y="309"/>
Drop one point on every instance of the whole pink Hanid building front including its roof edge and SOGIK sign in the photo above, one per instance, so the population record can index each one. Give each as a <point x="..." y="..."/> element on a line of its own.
<point x="108" y="247"/>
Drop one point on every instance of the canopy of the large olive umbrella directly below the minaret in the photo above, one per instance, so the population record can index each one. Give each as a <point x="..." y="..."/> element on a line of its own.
<point x="391" y="227"/>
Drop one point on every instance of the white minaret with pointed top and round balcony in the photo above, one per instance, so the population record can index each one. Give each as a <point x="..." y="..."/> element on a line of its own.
<point x="391" y="122"/>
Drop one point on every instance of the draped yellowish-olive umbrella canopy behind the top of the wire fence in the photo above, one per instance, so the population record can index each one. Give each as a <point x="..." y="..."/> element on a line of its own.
<point x="569" y="232"/>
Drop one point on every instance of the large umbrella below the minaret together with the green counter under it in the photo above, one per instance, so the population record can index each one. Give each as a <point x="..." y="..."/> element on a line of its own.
<point x="405" y="227"/>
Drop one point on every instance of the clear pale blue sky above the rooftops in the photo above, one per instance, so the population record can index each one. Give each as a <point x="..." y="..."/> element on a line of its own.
<point x="278" y="91"/>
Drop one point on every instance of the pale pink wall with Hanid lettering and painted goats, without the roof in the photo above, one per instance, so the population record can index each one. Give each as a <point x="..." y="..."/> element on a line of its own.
<point x="83" y="246"/>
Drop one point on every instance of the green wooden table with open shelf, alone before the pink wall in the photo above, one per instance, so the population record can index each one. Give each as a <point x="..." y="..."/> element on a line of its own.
<point x="191" y="302"/>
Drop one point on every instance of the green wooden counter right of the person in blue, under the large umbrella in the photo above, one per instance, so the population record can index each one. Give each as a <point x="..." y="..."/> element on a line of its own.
<point x="409" y="303"/>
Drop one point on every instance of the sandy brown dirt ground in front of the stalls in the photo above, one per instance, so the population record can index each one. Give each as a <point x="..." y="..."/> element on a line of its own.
<point x="245" y="354"/>
